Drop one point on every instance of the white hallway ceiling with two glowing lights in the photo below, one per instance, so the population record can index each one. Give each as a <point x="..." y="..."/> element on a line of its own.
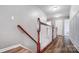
<point x="56" y="11"/>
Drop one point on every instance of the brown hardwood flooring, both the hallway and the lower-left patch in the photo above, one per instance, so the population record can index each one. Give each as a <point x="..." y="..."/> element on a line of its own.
<point x="59" y="45"/>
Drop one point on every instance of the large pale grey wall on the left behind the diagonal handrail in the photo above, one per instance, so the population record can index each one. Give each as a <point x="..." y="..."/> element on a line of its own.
<point x="25" y="16"/>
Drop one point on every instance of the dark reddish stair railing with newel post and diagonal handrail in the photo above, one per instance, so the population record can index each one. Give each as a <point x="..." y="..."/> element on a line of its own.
<point x="39" y="23"/>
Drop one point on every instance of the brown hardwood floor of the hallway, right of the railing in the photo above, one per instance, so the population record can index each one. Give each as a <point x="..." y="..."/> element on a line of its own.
<point x="59" y="45"/>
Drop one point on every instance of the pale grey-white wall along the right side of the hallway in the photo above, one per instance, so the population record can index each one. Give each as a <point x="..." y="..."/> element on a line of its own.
<point x="74" y="26"/>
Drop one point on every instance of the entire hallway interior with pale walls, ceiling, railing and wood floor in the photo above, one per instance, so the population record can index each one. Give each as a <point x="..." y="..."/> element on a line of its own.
<point x="31" y="28"/>
